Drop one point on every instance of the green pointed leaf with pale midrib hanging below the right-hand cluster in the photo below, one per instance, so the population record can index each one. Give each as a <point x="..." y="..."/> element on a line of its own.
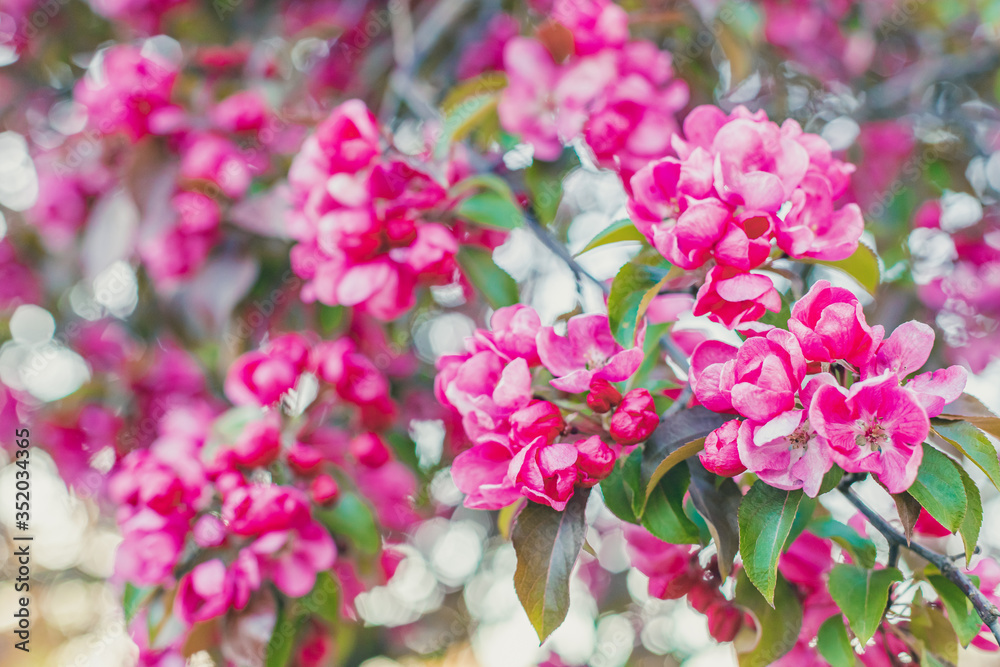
<point x="765" y="517"/>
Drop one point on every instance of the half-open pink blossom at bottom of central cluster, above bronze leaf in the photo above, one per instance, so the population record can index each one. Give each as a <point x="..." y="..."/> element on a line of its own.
<point x="545" y="472"/>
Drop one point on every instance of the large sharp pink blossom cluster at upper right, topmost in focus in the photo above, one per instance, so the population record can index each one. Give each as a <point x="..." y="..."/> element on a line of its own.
<point x="736" y="184"/>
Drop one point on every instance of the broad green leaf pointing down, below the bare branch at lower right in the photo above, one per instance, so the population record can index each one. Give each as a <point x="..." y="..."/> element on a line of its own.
<point x="862" y="594"/>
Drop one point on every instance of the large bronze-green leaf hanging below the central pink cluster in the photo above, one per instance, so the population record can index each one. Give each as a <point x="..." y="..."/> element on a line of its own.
<point x="547" y="543"/>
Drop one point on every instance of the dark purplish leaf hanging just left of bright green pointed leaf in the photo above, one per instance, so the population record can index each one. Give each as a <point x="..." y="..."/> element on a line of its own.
<point x="717" y="501"/>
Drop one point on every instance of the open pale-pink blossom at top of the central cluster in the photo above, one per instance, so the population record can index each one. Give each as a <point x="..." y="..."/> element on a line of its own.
<point x="588" y="351"/>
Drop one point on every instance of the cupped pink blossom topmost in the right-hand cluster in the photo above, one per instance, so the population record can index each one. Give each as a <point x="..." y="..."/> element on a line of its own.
<point x="829" y="324"/>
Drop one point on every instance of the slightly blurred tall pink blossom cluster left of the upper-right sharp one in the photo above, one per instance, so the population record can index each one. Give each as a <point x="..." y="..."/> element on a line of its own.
<point x="359" y="219"/>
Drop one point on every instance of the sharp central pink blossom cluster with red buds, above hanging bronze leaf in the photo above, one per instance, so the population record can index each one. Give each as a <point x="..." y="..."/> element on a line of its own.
<point x="518" y="447"/>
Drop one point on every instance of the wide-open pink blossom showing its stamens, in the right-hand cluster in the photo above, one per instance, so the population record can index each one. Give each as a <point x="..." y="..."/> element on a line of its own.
<point x="875" y="427"/>
